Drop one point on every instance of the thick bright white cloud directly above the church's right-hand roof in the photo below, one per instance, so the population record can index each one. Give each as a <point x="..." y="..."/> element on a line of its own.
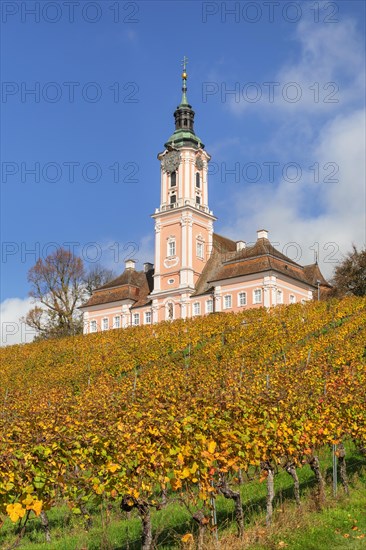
<point x="337" y="210"/>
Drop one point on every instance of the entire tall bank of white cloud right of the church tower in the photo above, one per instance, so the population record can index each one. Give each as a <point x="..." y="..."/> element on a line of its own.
<point x="321" y="216"/>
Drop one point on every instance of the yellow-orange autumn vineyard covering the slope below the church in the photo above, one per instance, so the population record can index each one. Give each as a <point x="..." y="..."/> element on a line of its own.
<point x="180" y="412"/>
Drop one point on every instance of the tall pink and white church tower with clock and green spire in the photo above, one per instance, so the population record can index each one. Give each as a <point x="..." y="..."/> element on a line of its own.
<point x="183" y="222"/>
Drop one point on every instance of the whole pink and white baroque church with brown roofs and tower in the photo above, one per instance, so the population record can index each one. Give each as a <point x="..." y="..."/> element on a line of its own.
<point x="196" y="271"/>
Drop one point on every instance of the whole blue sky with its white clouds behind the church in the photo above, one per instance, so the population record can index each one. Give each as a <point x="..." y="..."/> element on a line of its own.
<point x="278" y="91"/>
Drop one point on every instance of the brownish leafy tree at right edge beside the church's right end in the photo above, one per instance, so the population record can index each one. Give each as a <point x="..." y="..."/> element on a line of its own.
<point x="350" y="275"/>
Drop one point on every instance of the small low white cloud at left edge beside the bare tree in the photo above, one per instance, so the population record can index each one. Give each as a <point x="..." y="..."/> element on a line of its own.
<point x="13" y="331"/>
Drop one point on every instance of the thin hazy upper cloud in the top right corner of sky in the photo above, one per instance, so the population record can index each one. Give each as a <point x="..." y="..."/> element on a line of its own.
<point x="327" y="74"/>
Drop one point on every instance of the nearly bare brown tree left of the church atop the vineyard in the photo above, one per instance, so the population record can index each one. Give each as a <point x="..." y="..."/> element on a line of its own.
<point x="57" y="288"/>
